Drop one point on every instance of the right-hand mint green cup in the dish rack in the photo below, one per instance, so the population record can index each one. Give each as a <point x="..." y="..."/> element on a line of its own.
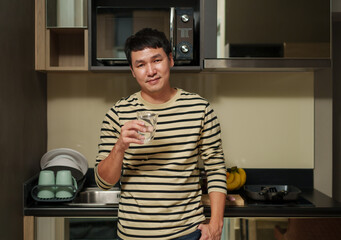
<point x="66" y="184"/>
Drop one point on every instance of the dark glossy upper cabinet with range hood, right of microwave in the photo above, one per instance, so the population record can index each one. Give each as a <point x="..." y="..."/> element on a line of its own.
<point x="272" y="34"/>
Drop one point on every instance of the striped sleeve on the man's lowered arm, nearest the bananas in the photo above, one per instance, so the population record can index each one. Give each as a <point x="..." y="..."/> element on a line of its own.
<point x="211" y="152"/>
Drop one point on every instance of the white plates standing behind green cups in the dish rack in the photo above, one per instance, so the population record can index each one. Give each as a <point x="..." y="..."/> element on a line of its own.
<point x="67" y="158"/>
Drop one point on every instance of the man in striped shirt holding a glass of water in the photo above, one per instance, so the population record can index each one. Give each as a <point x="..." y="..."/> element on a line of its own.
<point x="160" y="190"/>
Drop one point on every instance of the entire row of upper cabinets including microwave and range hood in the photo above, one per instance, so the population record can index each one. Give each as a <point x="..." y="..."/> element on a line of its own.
<point x="205" y="34"/>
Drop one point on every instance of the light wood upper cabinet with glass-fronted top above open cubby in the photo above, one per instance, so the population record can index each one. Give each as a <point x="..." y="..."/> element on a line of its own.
<point x="61" y="36"/>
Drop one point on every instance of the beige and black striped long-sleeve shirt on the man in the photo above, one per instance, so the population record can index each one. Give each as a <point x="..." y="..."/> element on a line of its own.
<point x="160" y="190"/>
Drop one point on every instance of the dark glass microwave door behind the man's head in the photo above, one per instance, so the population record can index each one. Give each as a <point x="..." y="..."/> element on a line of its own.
<point x="116" y="25"/>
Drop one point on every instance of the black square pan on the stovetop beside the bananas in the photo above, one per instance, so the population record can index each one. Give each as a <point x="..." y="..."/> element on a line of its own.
<point x="272" y="192"/>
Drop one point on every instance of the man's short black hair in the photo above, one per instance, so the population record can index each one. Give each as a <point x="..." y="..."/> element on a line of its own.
<point x="146" y="38"/>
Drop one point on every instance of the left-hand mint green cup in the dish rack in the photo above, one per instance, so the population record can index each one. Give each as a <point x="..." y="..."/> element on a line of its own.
<point x="46" y="184"/>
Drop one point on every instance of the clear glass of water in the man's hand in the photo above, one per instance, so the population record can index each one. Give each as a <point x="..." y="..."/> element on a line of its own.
<point x="150" y="120"/>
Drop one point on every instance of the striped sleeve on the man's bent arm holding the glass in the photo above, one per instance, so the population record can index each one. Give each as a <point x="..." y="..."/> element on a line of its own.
<point x="110" y="132"/>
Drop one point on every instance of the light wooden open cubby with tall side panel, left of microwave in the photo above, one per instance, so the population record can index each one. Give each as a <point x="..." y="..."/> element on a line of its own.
<point x="59" y="48"/>
